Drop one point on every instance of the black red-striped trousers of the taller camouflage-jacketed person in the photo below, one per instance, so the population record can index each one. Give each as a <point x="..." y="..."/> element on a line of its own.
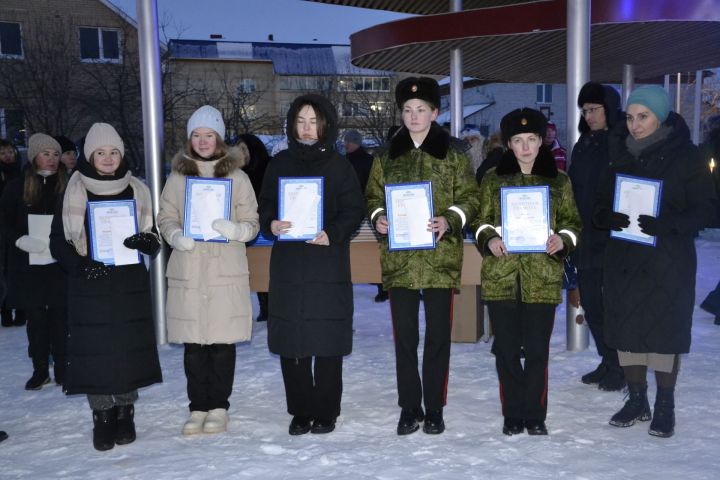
<point x="404" y="308"/>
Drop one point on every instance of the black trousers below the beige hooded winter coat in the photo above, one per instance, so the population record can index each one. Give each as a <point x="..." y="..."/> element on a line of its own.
<point x="210" y="371"/>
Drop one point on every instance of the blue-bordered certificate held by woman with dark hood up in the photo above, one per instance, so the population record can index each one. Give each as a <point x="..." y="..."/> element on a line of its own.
<point x="301" y="203"/>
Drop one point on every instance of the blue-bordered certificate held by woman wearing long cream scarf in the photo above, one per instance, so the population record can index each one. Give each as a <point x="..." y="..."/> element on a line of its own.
<point x="110" y="223"/>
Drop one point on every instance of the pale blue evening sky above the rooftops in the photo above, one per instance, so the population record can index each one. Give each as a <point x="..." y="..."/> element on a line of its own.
<point x="293" y="21"/>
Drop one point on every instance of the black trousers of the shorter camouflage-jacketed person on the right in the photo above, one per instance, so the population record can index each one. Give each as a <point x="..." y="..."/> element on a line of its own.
<point x="522" y="328"/>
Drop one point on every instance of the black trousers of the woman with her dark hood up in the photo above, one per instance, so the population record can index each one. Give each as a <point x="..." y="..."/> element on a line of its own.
<point x="313" y="389"/>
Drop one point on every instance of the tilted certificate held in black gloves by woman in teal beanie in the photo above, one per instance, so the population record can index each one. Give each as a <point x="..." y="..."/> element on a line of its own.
<point x="635" y="196"/>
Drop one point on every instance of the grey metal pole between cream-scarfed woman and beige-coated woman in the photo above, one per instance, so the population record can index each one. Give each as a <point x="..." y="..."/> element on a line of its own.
<point x="148" y="45"/>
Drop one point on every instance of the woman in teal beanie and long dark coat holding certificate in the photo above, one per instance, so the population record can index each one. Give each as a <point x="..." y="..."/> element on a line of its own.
<point x="650" y="288"/>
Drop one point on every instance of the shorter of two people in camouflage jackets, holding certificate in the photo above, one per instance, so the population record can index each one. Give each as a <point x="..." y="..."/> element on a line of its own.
<point x="528" y="223"/>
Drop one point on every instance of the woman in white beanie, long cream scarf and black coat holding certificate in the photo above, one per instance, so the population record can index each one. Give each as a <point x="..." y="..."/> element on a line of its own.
<point x="111" y="343"/>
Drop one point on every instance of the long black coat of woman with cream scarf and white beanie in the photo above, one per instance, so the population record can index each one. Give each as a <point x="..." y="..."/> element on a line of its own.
<point x="111" y="342"/>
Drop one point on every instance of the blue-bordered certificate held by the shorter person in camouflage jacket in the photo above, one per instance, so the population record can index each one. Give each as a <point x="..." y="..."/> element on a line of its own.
<point x="525" y="218"/>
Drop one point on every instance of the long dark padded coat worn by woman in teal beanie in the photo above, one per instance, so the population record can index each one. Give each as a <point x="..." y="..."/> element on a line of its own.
<point x="650" y="291"/>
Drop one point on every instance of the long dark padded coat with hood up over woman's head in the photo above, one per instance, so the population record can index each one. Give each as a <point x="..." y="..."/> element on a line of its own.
<point x="311" y="298"/>
